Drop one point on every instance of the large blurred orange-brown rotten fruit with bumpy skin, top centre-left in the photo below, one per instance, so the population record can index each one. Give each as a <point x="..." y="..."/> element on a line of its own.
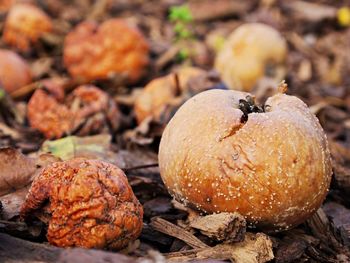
<point x="94" y="51"/>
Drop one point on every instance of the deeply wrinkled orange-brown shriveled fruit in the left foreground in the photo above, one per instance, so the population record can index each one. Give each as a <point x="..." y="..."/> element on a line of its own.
<point x="91" y="204"/>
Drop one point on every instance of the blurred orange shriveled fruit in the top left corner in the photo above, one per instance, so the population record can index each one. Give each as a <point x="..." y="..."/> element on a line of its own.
<point x="24" y="25"/>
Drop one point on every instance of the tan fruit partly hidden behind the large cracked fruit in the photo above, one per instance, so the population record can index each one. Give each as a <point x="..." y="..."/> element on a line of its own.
<point x="170" y="91"/>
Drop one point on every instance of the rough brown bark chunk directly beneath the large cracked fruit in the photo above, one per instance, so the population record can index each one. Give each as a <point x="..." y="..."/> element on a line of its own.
<point x="227" y="227"/>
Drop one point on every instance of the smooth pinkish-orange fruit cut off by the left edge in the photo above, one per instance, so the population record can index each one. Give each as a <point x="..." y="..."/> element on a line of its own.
<point x="14" y="71"/>
